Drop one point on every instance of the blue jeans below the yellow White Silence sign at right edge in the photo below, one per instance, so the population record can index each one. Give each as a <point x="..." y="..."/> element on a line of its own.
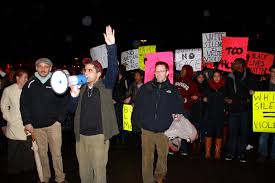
<point x="263" y="144"/>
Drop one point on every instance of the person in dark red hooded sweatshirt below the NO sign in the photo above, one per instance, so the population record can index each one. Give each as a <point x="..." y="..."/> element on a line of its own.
<point x="189" y="92"/>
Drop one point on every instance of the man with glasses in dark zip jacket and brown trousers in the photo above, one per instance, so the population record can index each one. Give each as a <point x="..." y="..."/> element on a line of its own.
<point x="155" y="104"/>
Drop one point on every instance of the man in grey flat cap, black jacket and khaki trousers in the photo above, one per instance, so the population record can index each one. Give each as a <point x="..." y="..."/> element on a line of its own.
<point x="42" y="113"/>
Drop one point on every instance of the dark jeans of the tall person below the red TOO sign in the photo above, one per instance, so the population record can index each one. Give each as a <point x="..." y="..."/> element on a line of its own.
<point x="238" y="132"/>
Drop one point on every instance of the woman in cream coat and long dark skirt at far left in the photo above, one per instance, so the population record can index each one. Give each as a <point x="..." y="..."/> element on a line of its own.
<point x="20" y="157"/>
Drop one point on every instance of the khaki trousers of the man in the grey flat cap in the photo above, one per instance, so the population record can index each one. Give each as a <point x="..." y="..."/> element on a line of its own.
<point x="50" y="136"/>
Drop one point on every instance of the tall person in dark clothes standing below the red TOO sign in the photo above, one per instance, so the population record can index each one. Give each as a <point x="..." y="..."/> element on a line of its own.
<point x="239" y="88"/>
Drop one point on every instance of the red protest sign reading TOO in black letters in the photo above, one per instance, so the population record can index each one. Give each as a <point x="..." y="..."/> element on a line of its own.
<point x="232" y="48"/>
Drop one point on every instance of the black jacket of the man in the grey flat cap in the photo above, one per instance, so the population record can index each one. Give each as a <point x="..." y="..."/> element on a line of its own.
<point x="40" y="106"/>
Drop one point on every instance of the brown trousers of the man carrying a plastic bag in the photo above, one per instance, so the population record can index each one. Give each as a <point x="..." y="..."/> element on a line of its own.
<point x="151" y="141"/>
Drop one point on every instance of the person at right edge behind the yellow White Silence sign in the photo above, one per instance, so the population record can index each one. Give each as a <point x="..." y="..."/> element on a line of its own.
<point x="267" y="85"/>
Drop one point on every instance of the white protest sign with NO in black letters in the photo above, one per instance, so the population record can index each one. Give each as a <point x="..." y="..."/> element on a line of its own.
<point x="192" y="57"/>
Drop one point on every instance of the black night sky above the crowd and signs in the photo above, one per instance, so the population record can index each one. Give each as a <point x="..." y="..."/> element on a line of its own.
<point x="57" y="29"/>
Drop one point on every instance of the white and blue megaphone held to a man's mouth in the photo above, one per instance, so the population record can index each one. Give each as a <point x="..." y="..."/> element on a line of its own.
<point x="60" y="81"/>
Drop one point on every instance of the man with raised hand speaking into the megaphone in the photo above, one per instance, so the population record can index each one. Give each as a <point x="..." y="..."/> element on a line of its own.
<point x="95" y="119"/>
